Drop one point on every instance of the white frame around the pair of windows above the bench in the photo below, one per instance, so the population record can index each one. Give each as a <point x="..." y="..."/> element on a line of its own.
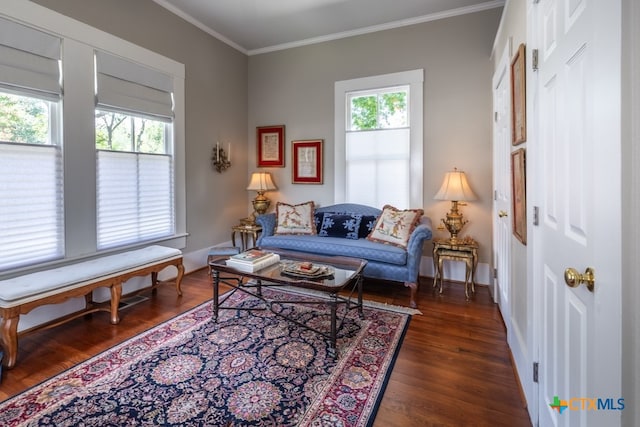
<point x="78" y="127"/>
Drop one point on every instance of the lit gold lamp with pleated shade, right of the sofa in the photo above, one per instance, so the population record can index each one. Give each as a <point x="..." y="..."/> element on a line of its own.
<point x="456" y="189"/>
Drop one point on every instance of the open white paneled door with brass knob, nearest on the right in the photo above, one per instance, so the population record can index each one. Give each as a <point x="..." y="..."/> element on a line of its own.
<point x="576" y="184"/>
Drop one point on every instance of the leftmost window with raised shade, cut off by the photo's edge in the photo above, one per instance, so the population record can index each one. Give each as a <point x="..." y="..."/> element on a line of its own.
<point x="31" y="185"/>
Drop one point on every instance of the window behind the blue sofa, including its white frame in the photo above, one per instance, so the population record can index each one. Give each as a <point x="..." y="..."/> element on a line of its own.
<point x="379" y="140"/>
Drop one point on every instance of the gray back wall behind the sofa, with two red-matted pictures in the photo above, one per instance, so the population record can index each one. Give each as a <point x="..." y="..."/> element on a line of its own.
<point x="295" y="87"/>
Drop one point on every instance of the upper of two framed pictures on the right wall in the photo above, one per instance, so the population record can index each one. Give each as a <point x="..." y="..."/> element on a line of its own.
<point x="518" y="98"/>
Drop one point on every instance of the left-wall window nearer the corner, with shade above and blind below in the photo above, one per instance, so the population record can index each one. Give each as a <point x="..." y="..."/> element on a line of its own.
<point x="133" y="119"/>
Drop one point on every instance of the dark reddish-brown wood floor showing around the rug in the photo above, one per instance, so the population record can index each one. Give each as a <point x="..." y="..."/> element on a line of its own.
<point x="453" y="368"/>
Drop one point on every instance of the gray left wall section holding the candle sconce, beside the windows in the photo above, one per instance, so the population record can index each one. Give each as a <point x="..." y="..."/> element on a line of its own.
<point x="216" y="104"/>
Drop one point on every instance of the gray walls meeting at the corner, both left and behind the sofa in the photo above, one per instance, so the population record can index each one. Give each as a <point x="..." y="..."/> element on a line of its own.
<point x="229" y="94"/>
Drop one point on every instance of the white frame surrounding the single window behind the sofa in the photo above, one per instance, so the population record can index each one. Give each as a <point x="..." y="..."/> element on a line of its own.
<point x="414" y="79"/>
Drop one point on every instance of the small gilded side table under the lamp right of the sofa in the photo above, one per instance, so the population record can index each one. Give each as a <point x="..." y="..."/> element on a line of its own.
<point x="465" y="250"/>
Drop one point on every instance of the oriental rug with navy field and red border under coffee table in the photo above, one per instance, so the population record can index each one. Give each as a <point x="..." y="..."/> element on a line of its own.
<point x="250" y="368"/>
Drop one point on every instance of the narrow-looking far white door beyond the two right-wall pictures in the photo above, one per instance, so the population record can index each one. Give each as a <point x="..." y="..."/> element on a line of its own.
<point x="502" y="187"/>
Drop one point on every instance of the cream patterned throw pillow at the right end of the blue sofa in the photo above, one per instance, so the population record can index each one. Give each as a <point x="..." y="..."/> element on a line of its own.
<point x="394" y="226"/>
